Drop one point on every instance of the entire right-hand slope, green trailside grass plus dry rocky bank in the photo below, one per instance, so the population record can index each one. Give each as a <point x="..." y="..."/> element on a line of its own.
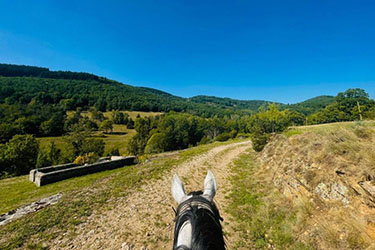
<point x="312" y="187"/>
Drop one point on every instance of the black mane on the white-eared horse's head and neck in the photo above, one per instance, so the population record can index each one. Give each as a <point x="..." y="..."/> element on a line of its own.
<point x="207" y="233"/>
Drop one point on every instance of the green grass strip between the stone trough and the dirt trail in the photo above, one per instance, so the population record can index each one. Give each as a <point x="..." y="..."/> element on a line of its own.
<point x="81" y="196"/>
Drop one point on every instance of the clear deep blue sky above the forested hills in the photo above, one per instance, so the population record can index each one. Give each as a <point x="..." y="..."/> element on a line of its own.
<point x="284" y="51"/>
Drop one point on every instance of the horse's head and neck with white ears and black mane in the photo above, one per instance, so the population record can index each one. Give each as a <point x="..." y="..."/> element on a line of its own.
<point x="197" y="217"/>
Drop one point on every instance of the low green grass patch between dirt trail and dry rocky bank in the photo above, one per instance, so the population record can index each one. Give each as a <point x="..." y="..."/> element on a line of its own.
<point x="264" y="217"/>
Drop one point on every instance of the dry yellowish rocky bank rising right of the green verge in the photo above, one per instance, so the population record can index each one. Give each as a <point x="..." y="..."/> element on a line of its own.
<point x="327" y="172"/>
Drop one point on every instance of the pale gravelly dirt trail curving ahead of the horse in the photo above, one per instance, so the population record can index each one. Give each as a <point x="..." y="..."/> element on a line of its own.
<point x="144" y="219"/>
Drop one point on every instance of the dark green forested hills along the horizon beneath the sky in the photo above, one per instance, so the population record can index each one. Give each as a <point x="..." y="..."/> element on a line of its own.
<point x="22" y="84"/>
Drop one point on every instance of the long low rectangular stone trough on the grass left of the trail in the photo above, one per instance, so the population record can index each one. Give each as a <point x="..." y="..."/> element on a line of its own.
<point x="43" y="176"/>
